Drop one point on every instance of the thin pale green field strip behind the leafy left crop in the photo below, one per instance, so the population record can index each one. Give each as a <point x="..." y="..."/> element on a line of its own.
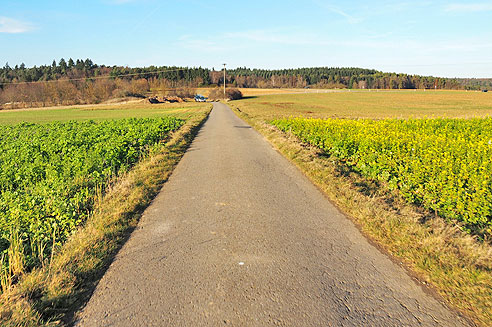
<point x="100" y="112"/>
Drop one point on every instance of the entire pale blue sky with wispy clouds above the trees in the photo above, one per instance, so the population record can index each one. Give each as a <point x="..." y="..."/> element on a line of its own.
<point x="440" y="38"/>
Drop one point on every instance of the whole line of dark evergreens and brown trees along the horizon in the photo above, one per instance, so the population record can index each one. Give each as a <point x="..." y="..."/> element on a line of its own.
<point x="82" y="81"/>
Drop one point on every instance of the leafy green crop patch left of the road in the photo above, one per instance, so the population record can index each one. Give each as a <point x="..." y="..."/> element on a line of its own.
<point x="50" y="174"/>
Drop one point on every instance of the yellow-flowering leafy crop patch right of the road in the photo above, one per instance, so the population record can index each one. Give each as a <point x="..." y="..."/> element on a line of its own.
<point x="444" y="165"/>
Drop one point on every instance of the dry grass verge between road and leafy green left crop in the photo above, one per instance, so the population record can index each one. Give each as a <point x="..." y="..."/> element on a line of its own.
<point x="49" y="296"/>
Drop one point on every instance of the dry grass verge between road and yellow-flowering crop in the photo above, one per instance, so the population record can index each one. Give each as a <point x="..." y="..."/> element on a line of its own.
<point x="452" y="265"/>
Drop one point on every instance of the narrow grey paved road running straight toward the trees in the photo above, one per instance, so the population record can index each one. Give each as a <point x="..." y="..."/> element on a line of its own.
<point x="239" y="236"/>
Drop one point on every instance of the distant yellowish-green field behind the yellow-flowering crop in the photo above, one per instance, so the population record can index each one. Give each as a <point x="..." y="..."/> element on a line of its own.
<point x="372" y="105"/>
